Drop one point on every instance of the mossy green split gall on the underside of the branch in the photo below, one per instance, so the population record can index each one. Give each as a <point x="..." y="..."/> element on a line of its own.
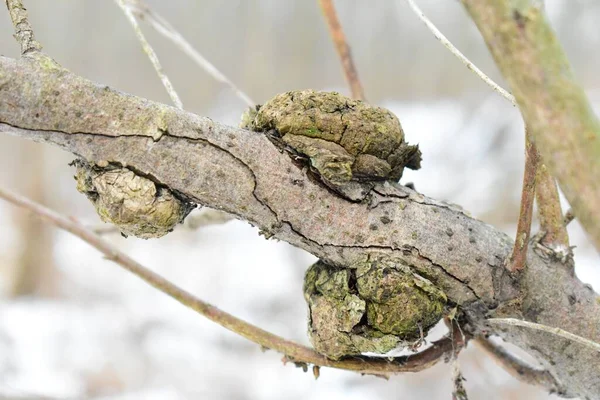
<point x="373" y="307"/>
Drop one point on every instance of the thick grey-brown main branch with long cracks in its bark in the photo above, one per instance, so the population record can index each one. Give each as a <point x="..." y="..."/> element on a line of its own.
<point x="241" y="172"/>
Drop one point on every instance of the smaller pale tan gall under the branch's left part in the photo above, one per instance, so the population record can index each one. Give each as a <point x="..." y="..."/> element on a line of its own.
<point x="133" y="203"/>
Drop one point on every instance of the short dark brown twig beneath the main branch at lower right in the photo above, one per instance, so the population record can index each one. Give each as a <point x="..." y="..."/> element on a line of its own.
<point x="517" y="367"/>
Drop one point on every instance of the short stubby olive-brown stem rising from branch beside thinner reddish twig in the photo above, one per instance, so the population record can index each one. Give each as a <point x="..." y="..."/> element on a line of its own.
<point x="549" y="210"/>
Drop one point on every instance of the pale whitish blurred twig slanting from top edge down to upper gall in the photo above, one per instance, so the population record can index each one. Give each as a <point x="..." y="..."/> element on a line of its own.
<point x="163" y="27"/>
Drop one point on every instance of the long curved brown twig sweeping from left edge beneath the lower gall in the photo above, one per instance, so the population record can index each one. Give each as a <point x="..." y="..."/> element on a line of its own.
<point x="292" y="351"/>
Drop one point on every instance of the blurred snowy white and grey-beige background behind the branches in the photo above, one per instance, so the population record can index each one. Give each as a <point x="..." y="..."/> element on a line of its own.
<point x="75" y="326"/>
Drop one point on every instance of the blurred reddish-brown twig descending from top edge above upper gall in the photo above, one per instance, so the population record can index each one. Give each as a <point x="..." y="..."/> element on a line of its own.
<point x="343" y="49"/>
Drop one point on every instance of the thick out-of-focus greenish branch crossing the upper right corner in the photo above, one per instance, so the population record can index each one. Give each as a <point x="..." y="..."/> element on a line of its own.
<point x="554" y="107"/>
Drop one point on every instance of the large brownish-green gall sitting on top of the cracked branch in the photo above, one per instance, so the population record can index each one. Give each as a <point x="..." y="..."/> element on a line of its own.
<point x="345" y="140"/>
